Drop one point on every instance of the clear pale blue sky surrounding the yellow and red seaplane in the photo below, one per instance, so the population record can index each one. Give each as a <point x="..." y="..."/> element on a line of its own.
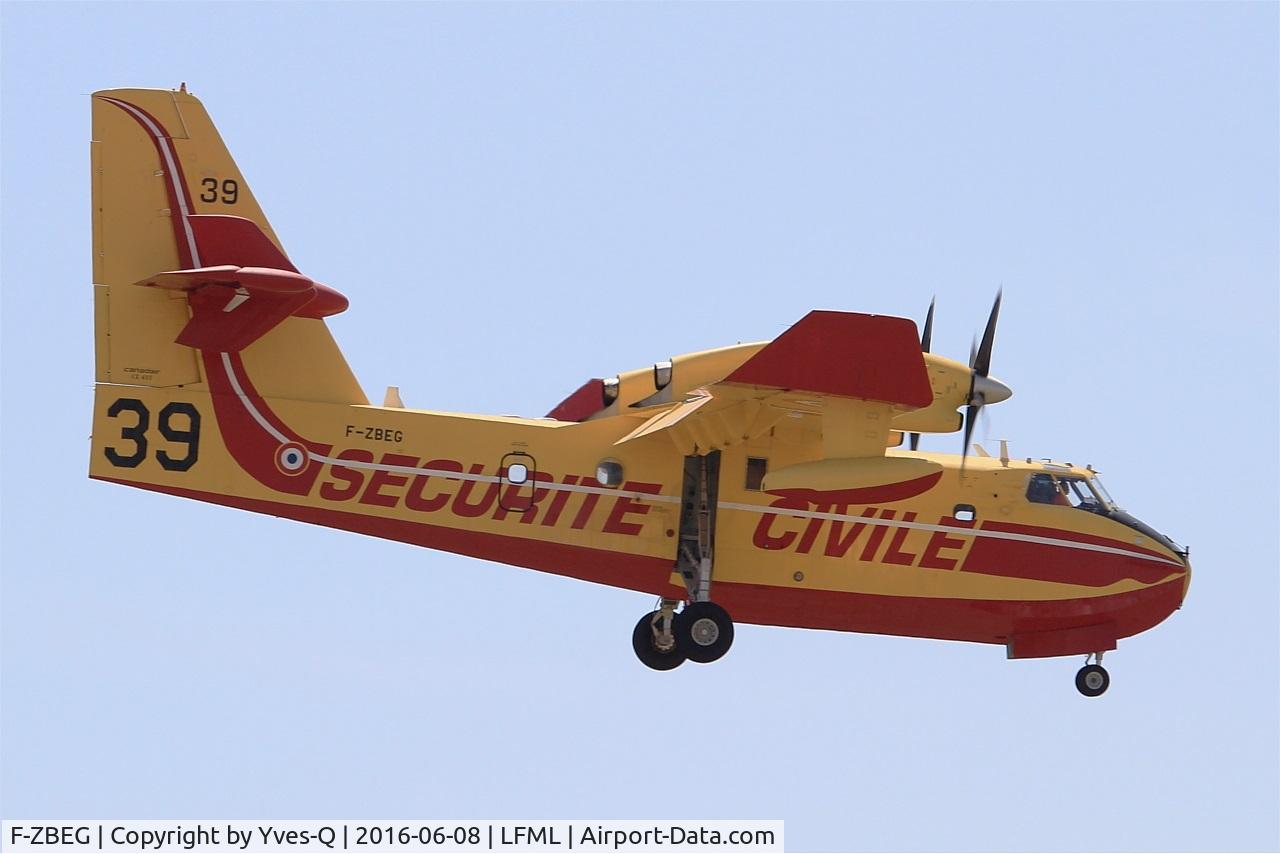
<point x="623" y="184"/>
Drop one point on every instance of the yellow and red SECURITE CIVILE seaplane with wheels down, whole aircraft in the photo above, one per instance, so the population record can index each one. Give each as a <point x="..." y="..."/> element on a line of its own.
<point x="760" y="483"/>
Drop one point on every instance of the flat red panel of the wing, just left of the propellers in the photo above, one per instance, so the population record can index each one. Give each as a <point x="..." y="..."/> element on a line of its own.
<point x="871" y="358"/>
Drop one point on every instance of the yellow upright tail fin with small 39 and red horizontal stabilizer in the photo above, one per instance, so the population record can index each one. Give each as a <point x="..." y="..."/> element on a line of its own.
<point x="185" y="261"/>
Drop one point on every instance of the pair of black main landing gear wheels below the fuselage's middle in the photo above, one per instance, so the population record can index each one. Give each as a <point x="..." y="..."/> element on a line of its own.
<point x="665" y="640"/>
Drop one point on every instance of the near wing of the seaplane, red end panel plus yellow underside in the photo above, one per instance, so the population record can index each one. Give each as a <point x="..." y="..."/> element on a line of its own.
<point x="839" y="376"/>
